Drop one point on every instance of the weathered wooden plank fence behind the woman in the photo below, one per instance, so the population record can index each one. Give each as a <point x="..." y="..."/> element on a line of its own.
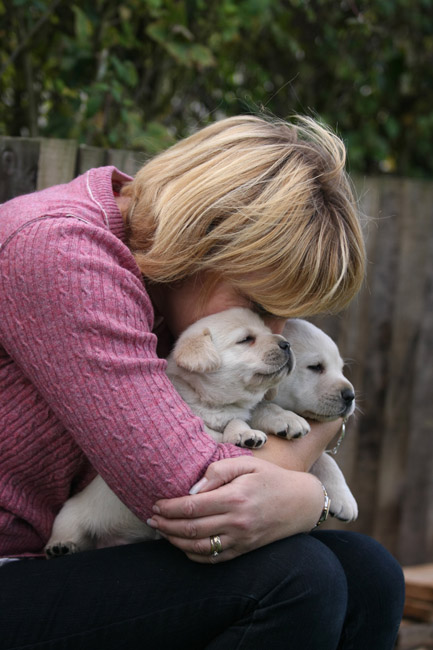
<point x="387" y="333"/>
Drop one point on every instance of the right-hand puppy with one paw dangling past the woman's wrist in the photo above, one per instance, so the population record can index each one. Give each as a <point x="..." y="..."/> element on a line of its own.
<point x="318" y="390"/>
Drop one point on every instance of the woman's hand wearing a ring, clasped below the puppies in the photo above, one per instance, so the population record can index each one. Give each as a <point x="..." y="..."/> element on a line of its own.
<point x="247" y="501"/>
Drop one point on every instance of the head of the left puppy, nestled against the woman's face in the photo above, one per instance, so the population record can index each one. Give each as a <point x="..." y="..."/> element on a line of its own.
<point x="231" y="356"/>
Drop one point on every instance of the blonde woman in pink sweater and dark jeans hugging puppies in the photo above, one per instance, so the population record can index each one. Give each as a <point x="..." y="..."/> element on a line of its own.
<point x="94" y="275"/>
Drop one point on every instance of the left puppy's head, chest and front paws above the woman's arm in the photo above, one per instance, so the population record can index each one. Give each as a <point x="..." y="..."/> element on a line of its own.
<point x="223" y="366"/>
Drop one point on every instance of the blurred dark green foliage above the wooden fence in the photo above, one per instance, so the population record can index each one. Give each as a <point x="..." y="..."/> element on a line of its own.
<point x="142" y="73"/>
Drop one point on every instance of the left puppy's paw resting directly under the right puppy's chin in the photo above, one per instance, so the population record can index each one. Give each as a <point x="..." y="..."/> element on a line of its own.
<point x="273" y="419"/>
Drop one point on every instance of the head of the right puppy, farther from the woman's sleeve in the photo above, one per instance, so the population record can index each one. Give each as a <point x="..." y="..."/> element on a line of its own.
<point x="317" y="388"/>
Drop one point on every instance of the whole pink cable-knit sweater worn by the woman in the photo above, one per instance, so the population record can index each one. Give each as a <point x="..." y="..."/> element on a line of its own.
<point x="81" y="387"/>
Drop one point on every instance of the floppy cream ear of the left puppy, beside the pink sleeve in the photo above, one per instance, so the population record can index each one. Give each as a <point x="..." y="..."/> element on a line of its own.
<point x="197" y="353"/>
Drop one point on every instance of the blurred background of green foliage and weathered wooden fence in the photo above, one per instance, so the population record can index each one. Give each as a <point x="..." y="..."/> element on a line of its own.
<point x="112" y="82"/>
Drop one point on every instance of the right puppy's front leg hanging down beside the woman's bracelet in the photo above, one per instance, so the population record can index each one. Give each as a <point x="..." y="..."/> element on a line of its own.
<point x="343" y="504"/>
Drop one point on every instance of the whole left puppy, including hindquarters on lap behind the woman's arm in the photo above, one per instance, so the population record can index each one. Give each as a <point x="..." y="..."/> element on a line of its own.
<point x="223" y="366"/>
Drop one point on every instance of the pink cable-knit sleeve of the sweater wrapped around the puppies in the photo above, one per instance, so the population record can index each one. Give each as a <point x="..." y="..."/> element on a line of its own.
<point x="76" y="318"/>
